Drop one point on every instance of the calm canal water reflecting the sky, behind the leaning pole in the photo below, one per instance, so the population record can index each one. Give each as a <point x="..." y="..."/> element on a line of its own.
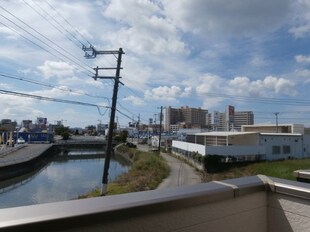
<point x="64" y="178"/>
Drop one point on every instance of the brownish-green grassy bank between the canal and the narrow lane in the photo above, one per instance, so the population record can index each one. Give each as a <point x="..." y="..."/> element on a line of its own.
<point x="148" y="170"/>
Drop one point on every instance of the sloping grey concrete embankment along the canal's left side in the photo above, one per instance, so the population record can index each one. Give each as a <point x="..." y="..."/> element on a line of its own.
<point x="24" y="160"/>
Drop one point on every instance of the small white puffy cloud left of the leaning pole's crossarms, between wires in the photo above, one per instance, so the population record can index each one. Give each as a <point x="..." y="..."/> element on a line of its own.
<point x="56" y="69"/>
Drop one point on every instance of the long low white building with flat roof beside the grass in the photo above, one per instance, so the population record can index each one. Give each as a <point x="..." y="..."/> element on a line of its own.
<point x="246" y="146"/>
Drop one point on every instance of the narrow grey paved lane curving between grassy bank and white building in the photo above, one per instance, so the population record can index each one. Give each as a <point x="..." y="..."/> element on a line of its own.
<point x="180" y="173"/>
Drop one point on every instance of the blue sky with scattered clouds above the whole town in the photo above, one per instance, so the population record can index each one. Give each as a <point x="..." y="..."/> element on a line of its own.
<point x="252" y="54"/>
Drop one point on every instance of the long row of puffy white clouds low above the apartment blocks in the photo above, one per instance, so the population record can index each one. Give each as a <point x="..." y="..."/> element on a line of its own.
<point x="212" y="89"/>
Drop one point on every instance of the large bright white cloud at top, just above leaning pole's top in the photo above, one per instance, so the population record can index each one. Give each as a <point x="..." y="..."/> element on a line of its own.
<point x="145" y="30"/>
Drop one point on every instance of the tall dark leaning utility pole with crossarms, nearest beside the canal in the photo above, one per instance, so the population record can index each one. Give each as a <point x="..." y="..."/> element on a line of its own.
<point x="113" y="107"/>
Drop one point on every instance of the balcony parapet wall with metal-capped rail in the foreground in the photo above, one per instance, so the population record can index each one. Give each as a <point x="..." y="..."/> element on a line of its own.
<point x="256" y="203"/>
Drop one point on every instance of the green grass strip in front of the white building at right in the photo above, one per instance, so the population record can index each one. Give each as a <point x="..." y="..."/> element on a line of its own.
<point x="281" y="169"/>
